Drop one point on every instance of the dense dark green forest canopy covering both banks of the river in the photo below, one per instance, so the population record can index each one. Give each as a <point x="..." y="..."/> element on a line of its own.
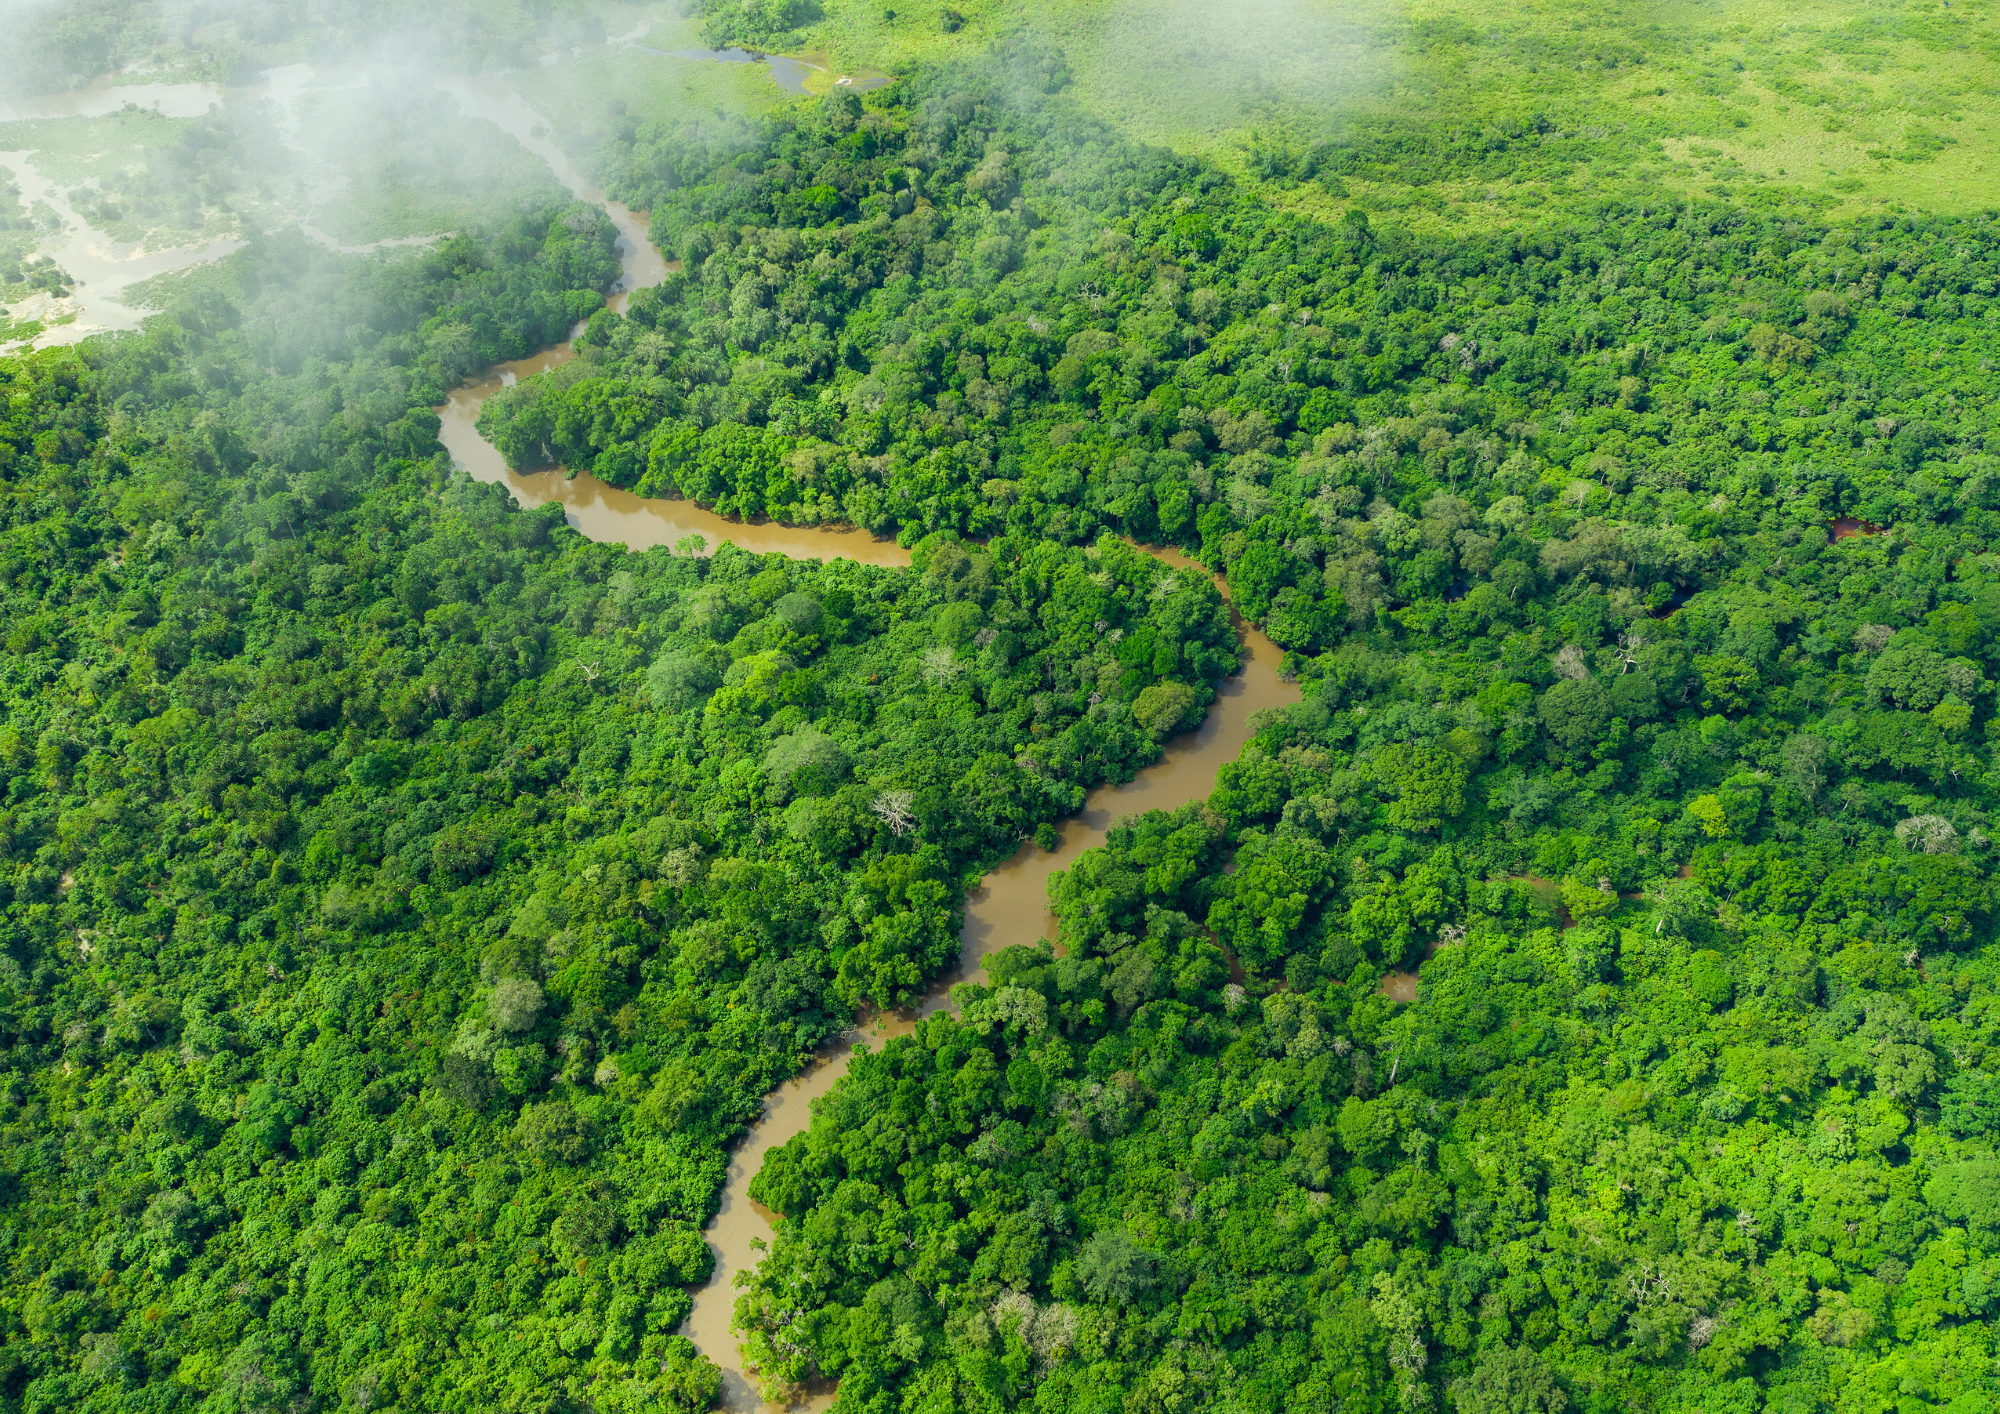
<point x="409" y="901"/>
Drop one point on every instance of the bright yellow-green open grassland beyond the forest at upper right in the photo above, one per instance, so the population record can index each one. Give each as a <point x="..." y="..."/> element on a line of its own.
<point x="1839" y="105"/>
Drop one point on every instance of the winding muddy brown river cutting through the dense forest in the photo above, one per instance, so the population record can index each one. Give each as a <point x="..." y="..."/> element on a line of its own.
<point x="1011" y="903"/>
